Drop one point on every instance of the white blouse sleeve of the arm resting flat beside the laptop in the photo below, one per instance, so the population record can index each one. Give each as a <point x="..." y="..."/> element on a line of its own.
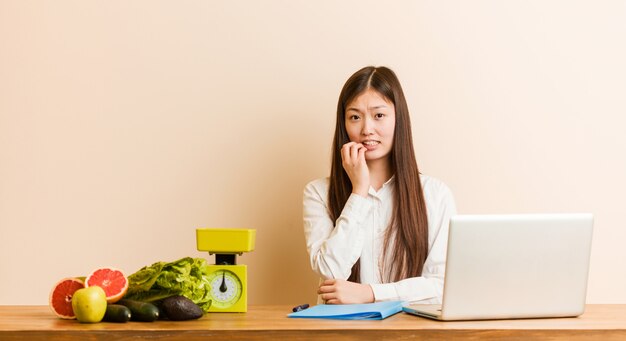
<point x="427" y="288"/>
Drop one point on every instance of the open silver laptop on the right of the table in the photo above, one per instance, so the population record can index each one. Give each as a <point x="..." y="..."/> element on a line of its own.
<point x="514" y="266"/>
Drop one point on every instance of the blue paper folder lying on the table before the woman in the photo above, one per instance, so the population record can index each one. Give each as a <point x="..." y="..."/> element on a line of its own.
<point x="367" y="311"/>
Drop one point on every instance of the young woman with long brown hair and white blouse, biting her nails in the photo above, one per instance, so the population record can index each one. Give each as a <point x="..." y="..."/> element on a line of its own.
<point x="376" y="229"/>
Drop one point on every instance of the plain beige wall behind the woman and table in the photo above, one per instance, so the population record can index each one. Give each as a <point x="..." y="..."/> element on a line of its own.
<point x="124" y="125"/>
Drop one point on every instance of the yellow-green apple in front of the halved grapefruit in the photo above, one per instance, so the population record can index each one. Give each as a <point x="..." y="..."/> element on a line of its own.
<point x="89" y="304"/>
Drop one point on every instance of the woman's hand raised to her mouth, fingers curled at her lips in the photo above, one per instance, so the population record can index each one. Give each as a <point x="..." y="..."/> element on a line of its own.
<point x="353" y="161"/>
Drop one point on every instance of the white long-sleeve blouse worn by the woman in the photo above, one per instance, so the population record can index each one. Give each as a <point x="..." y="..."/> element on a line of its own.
<point x="359" y="232"/>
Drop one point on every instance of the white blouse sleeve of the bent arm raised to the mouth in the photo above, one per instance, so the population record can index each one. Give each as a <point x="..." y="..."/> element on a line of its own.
<point x="333" y="246"/>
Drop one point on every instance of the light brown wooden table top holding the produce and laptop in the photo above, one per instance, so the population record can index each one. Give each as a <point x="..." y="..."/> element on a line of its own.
<point x="606" y="322"/>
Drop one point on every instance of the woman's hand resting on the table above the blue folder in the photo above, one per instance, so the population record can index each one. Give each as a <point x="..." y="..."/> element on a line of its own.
<point x="339" y="291"/>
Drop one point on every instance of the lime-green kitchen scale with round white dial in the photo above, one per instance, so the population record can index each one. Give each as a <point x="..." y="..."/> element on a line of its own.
<point x="229" y="280"/>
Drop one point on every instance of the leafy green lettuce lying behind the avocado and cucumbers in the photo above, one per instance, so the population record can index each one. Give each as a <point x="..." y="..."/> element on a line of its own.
<point x="186" y="277"/>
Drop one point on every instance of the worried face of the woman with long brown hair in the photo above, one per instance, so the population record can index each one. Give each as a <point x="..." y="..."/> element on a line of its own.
<point x="370" y="120"/>
